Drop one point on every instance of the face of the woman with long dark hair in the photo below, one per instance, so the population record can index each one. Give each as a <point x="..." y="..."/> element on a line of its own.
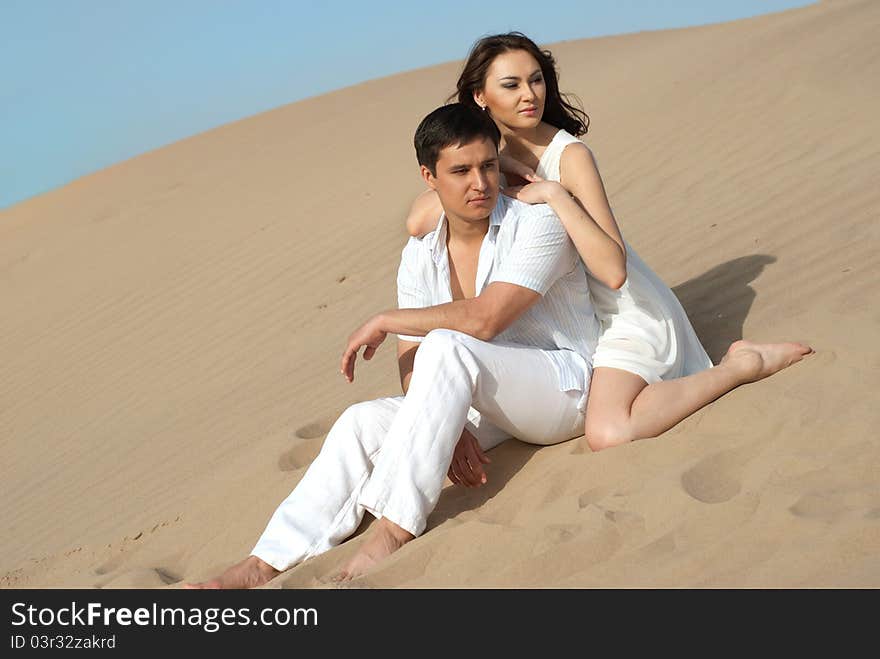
<point x="514" y="90"/>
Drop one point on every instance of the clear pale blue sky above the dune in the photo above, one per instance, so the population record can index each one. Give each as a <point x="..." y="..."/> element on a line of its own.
<point x="87" y="83"/>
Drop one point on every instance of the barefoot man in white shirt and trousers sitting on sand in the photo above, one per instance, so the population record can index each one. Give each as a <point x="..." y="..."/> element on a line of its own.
<point x="496" y="331"/>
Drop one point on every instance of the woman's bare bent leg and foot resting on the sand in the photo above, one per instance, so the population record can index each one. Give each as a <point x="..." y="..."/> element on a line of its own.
<point x="622" y="407"/>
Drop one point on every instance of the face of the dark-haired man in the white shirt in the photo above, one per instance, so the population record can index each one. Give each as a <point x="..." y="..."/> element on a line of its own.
<point x="467" y="179"/>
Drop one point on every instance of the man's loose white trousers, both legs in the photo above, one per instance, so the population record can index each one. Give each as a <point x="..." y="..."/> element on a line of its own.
<point x="390" y="456"/>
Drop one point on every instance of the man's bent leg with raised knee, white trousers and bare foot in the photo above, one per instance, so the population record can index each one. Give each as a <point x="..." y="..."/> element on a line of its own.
<point x="515" y="388"/>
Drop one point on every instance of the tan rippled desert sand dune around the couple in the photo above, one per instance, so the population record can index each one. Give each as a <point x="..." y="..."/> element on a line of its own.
<point x="172" y="327"/>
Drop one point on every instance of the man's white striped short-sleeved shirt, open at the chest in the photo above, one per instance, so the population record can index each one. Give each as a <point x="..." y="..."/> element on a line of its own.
<point x="528" y="246"/>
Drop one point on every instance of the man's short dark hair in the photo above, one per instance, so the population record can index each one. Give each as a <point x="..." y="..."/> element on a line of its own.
<point x="456" y="124"/>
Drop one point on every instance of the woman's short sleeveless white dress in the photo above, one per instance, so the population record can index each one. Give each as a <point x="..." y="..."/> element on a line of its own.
<point x="644" y="328"/>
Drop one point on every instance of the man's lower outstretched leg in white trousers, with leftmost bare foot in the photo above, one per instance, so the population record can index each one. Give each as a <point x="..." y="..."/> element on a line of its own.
<point x="322" y="510"/>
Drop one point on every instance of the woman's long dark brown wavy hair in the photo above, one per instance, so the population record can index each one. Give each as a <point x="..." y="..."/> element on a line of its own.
<point x="558" y="111"/>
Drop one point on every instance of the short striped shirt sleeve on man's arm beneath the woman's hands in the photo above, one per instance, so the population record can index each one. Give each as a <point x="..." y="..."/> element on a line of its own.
<point x="541" y="253"/>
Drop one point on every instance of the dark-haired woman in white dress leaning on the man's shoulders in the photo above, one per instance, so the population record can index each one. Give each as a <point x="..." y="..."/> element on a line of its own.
<point x="649" y="369"/>
